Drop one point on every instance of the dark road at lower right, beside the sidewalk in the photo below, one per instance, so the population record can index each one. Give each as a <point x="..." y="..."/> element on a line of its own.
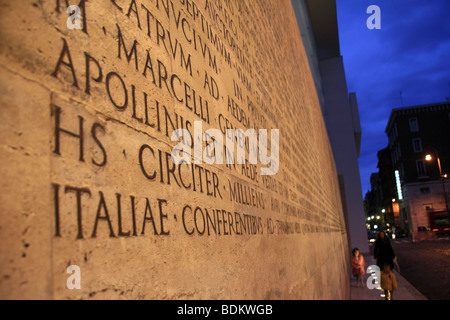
<point x="426" y="265"/>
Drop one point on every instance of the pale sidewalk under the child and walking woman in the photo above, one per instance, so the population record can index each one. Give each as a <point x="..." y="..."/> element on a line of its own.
<point x="405" y="290"/>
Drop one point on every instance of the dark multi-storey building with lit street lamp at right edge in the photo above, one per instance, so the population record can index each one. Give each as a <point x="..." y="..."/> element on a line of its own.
<point x="422" y="187"/>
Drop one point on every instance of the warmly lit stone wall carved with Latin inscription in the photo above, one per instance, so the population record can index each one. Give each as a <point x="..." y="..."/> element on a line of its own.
<point x="87" y="179"/>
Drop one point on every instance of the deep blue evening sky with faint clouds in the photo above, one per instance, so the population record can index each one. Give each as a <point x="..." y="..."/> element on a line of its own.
<point x="409" y="54"/>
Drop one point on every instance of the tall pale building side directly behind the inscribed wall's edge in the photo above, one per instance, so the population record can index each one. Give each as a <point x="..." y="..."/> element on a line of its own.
<point x="320" y="36"/>
